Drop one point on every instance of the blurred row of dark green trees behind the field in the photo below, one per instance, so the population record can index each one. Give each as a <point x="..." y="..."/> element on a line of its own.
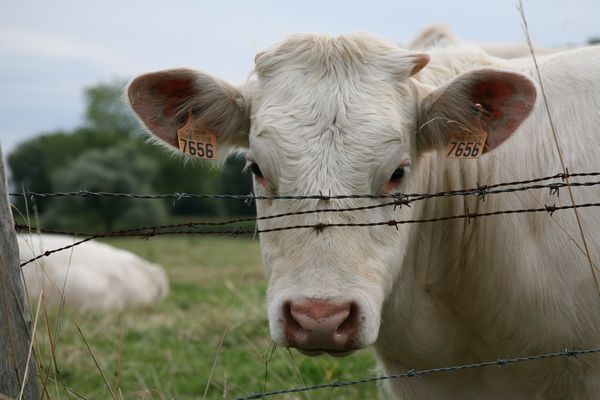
<point x="47" y="164"/>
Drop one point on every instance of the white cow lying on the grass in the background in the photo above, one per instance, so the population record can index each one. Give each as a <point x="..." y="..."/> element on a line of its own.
<point x="93" y="276"/>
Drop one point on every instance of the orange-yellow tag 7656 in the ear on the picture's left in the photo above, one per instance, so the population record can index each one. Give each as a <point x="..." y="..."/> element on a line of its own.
<point x="196" y="140"/>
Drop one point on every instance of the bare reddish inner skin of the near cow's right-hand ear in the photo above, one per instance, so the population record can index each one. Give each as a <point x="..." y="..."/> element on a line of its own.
<point x="507" y="100"/>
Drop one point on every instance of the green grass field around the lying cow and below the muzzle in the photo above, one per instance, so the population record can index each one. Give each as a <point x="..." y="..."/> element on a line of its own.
<point x="208" y="339"/>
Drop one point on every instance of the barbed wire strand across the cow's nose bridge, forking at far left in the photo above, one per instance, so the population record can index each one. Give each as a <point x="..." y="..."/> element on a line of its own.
<point x="148" y="232"/>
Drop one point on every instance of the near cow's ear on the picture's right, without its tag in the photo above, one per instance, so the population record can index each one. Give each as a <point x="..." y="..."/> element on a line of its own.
<point x="493" y="100"/>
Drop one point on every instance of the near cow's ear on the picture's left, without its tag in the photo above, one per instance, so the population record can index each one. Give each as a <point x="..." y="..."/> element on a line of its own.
<point x="164" y="101"/>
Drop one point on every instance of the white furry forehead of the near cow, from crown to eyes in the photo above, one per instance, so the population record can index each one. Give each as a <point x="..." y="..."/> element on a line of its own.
<point x="334" y="106"/>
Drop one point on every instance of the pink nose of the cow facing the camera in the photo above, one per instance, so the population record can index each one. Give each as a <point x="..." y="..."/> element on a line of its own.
<point x="321" y="325"/>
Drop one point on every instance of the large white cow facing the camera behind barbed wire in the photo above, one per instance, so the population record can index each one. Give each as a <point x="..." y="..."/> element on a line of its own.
<point x="356" y="114"/>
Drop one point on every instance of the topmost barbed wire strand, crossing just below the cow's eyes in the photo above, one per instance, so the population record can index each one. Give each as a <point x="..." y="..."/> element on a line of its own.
<point x="480" y="190"/>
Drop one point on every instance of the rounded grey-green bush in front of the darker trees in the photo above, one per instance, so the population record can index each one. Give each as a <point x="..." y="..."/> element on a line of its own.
<point x="118" y="169"/>
